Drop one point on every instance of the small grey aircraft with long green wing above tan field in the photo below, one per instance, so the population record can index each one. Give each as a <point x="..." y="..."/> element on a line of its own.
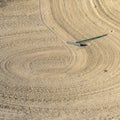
<point x="81" y="42"/>
